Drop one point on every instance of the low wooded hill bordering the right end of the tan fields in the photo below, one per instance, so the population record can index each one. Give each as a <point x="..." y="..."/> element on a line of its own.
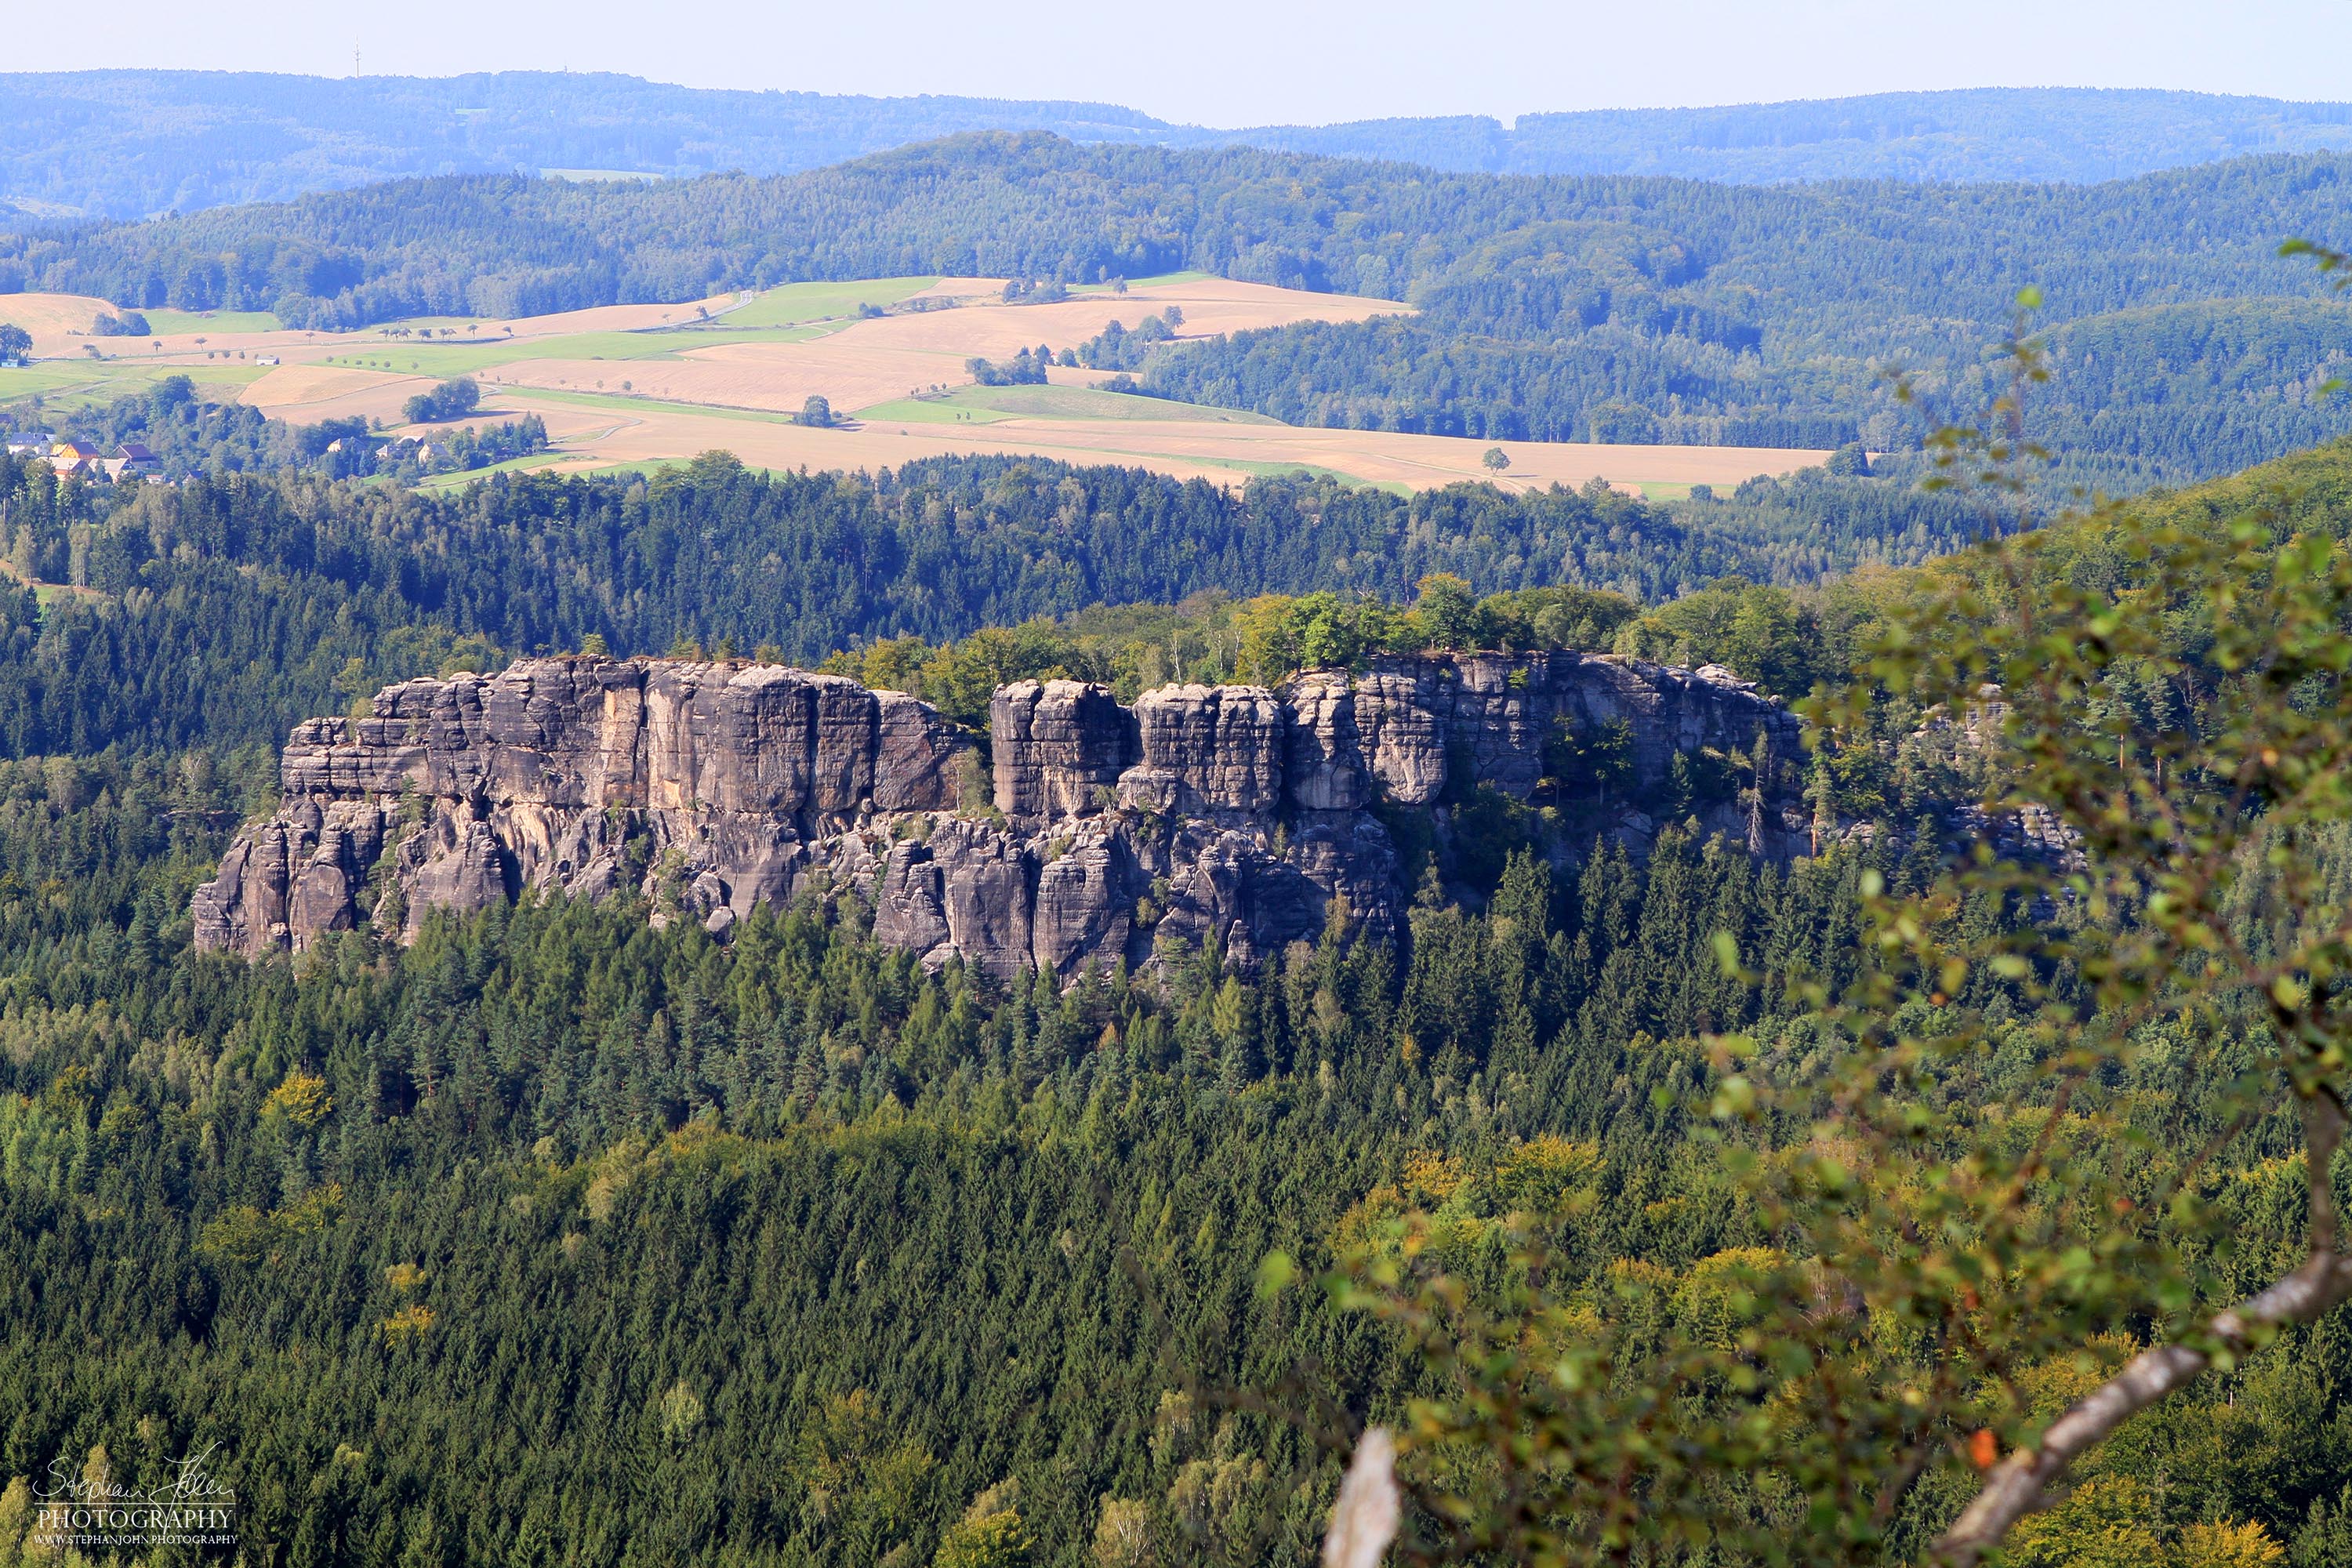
<point x="2149" y="396"/>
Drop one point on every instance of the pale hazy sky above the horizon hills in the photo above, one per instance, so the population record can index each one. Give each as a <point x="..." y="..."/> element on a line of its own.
<point x="1255" y="62"/>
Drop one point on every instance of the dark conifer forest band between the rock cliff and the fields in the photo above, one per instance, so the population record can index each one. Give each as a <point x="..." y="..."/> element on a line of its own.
<point x="227" y="610"/>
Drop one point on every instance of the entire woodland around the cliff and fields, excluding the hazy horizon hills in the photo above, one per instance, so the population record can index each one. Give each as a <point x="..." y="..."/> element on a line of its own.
<point x="1956" y="1191"/>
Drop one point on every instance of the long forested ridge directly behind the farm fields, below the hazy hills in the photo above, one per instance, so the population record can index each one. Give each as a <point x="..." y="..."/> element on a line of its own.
<point x="1930" y="260"/>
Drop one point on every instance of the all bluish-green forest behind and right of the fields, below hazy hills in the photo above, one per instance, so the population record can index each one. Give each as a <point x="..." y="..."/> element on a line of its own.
<point x="1546" y="307"/>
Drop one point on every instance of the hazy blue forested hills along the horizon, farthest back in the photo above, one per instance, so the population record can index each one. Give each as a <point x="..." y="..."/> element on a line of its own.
<point x="126" y="145"/>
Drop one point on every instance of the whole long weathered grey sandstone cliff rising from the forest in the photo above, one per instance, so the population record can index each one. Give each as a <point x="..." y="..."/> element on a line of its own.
<point x="1227" y="815"/>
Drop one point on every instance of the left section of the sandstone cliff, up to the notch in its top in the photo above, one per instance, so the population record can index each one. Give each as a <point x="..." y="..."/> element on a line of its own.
<point x="549" y="772"/>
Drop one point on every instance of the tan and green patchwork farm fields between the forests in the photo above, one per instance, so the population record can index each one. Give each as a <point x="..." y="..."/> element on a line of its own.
<point x="660" y="384"/>
